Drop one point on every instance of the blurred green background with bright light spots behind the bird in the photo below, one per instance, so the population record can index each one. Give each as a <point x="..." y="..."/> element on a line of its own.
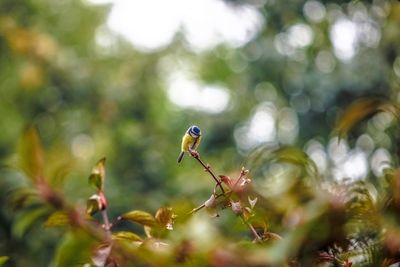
<point x="91" y="92"/>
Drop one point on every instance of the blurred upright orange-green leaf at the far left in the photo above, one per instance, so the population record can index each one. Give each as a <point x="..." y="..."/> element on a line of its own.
<point x="31" y="154"/>
